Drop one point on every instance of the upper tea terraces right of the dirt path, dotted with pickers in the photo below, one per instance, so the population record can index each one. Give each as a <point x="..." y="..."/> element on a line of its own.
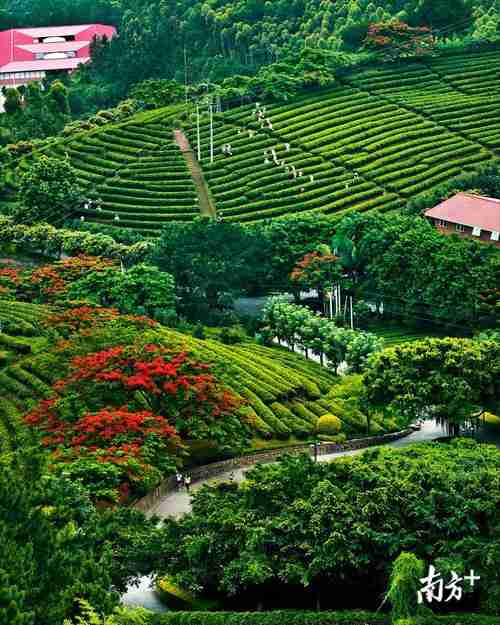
<point x="372" y="142"/>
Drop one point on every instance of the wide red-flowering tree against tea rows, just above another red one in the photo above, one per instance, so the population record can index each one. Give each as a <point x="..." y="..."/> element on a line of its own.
<point x="170" y="384"/>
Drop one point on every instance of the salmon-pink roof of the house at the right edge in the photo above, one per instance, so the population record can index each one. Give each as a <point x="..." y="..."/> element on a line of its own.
<point x="469" y="210"/>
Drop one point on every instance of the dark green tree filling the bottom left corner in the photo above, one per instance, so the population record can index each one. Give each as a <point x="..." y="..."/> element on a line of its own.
<point x="49" y="547"/>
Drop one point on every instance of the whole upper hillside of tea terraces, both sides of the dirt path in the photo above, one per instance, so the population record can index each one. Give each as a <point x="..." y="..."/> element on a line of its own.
<point x="375" y="140"/>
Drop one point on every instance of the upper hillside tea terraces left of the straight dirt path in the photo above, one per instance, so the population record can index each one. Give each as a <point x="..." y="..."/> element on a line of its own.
<point x="134" y="172"/>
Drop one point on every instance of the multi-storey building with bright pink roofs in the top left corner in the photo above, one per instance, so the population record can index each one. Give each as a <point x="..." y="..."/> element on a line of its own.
<point x="28" y="54"/>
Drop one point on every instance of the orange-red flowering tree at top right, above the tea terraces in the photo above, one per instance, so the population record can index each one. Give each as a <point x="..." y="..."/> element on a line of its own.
<point x="398" y="39"/>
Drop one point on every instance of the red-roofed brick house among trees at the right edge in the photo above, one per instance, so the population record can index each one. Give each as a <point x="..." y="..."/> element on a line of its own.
<point x="468" y="215"/>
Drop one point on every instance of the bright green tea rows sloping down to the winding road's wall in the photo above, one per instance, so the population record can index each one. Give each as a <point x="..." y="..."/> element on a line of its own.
<point x="284" y="393"/>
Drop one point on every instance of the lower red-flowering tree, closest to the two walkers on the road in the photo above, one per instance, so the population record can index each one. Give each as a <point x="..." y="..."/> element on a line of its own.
<point x="114" y="450"/>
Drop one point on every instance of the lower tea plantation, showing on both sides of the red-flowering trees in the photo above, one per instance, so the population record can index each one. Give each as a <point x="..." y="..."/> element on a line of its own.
<point x="283" y="394"/>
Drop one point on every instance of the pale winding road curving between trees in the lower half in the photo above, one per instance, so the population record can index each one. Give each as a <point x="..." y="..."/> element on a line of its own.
<point x="178" y="503"/>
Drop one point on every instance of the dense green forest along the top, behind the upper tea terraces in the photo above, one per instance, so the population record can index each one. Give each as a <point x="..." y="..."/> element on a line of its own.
<point x="212" y="39"/>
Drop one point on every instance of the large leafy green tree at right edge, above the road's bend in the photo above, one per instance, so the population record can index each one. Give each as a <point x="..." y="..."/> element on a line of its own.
<point x="447" y="378"/>
